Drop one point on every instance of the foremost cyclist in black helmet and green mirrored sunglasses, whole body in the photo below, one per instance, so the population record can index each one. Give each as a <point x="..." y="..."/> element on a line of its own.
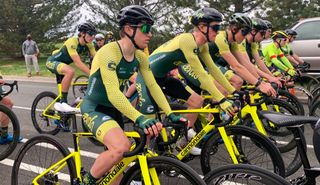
<point x="104" y="103"/>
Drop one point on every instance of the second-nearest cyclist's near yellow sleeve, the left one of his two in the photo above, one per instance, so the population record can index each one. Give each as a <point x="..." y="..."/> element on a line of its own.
<point x="191" y="52"/>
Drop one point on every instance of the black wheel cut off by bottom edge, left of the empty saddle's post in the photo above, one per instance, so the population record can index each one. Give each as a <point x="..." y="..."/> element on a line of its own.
<point x="243" y="174"/>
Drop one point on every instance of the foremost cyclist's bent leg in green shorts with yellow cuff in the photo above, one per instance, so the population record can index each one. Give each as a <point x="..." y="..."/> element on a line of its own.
<point x="106" y="129"/>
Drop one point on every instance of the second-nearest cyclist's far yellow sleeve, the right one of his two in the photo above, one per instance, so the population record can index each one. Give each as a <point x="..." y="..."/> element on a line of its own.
<point x="214" y="70"/>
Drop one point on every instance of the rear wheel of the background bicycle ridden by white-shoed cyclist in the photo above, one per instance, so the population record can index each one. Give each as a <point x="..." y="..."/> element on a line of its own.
<point x="44" y="124"/>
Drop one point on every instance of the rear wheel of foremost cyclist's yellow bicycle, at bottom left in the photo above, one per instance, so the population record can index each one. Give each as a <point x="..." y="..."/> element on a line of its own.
<point x="37" y="155"/>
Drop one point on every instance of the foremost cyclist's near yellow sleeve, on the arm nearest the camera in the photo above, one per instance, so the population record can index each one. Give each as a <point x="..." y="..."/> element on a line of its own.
<point x="108" y="60"/>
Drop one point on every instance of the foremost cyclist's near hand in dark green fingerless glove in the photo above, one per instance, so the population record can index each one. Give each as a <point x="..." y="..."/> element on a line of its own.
<point x="150" y="126"/>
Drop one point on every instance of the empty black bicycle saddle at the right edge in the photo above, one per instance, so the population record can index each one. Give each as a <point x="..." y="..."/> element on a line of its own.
<point x="283" y="120"/>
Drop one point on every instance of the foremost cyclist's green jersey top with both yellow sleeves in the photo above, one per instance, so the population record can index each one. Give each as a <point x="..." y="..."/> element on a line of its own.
<point x="108" y="74"/>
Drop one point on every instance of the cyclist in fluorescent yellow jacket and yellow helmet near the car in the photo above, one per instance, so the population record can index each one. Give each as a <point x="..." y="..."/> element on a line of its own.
<point x="274" y="57"/>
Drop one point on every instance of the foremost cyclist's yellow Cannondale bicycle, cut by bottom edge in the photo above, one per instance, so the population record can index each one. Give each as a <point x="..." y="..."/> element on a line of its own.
<point x="44" y="159"/>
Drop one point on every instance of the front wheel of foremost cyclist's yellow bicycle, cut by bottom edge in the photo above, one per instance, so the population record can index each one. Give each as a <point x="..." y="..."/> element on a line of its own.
<point x="169" y="170"/>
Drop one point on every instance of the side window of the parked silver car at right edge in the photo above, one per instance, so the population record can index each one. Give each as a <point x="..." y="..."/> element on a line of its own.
<point x="308" y="30"/>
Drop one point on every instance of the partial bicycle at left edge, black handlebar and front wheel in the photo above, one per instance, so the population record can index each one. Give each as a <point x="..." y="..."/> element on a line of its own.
<point x="7" y="115"/>
